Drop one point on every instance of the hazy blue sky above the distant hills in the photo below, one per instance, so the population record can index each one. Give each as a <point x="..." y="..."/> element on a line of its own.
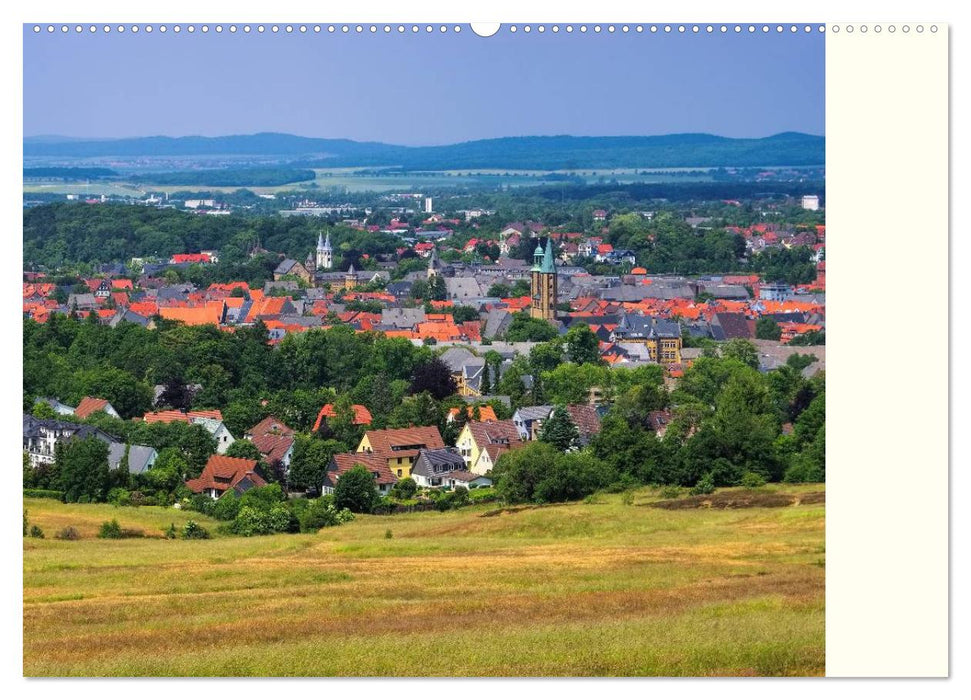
<point x="422" y="89"/>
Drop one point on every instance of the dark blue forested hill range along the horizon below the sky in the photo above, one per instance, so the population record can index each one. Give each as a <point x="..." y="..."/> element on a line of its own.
<point x="527" y="152"/>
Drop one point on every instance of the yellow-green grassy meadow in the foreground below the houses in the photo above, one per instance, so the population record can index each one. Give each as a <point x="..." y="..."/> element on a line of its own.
<point x="608" y="587"/>
